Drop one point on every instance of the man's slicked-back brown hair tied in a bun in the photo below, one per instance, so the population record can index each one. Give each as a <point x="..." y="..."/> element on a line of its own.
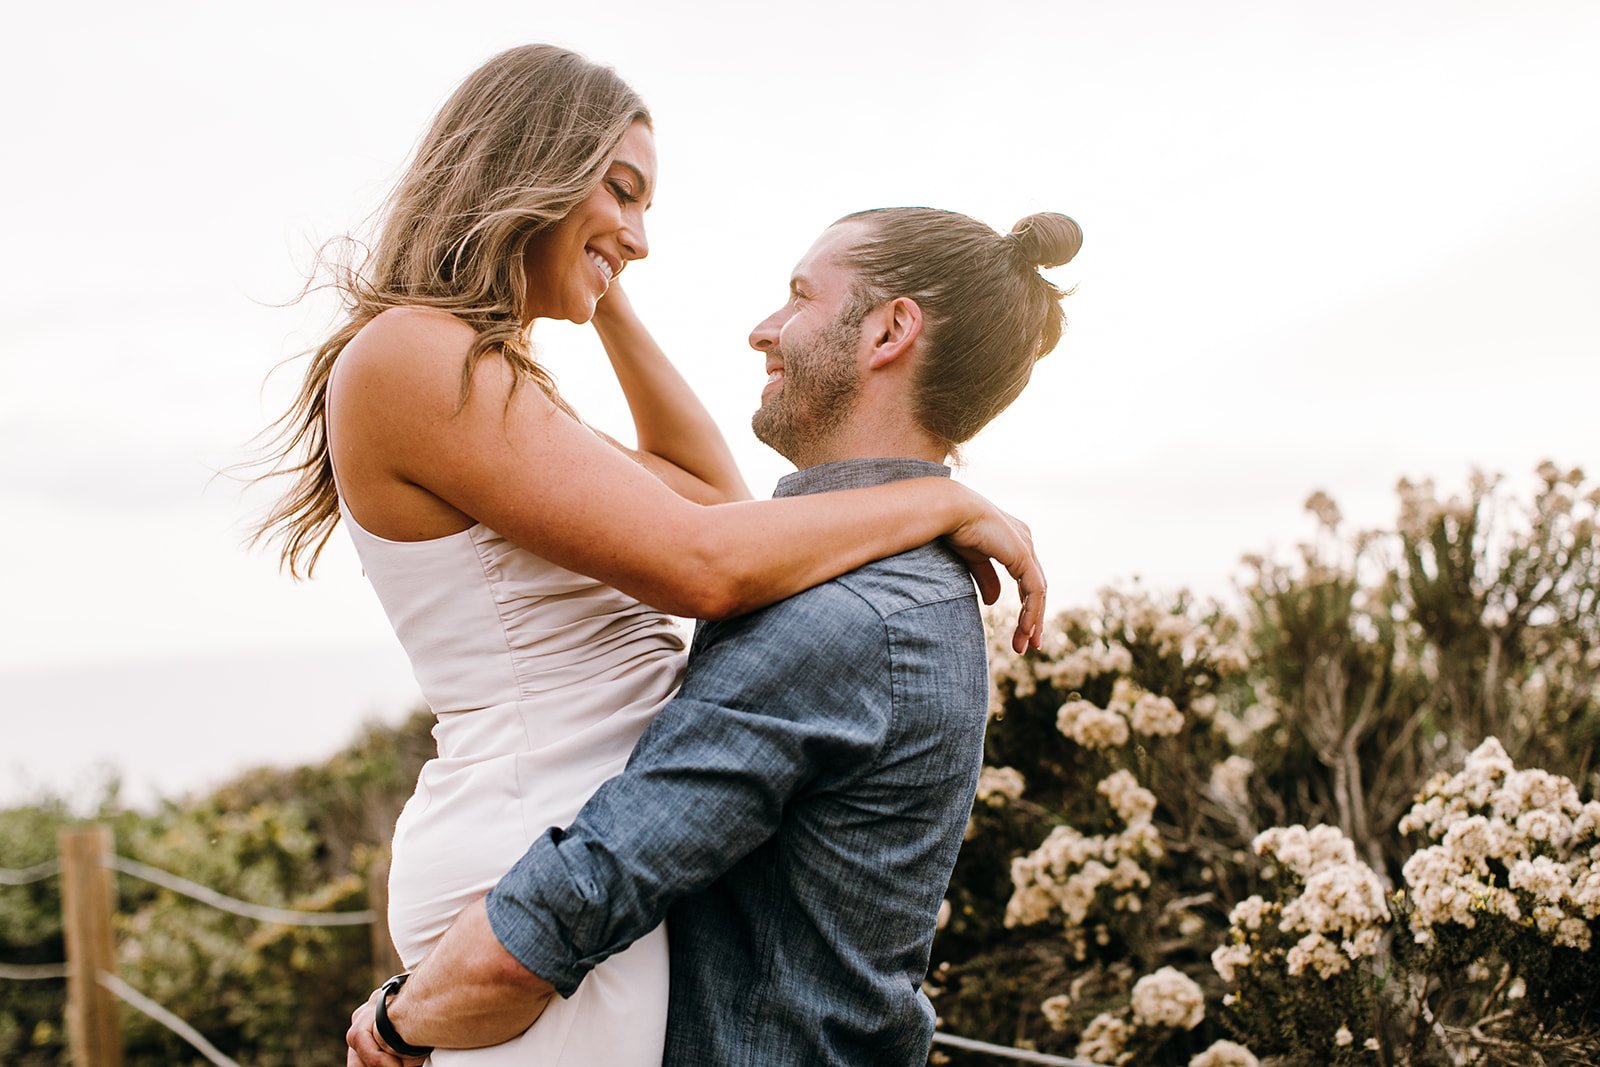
<point x="988" y="313"/>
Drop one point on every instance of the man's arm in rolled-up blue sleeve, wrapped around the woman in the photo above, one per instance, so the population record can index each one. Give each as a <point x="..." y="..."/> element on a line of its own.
<point x="769" y="701"/>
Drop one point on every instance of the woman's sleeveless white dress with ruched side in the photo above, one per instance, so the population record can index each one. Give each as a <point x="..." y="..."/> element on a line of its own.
<point x="542" y="681"/>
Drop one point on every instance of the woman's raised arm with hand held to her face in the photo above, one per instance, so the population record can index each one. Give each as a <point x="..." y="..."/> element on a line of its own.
<point x="673" y="426"/>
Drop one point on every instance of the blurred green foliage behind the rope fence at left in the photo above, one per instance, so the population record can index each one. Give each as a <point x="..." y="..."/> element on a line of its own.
<point x="265" y="994"/>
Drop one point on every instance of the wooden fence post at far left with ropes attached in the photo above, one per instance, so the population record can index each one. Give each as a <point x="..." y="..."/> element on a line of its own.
<point x="94" y="1025"/>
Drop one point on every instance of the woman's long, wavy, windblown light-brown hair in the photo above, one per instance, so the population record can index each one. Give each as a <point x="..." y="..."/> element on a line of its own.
<point x="516" y="148"/>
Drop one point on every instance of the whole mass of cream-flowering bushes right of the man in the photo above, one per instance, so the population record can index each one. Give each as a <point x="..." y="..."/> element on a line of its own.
<point x="1234" y="799"/>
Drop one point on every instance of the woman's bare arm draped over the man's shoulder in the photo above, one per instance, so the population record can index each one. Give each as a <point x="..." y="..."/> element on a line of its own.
<point x="513" y="462"/>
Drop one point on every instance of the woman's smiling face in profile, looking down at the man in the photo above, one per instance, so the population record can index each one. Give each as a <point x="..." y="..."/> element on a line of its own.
<point x="572" y="265"/>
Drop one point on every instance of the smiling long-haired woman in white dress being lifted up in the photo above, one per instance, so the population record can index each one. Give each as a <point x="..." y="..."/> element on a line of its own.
<point x="529" y="564"/>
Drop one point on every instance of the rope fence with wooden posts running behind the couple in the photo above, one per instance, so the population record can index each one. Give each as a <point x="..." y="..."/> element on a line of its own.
<point x="95" y="1034"/>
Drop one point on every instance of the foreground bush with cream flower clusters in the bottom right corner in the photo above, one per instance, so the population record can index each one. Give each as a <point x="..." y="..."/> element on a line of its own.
<point x="1486" y="954"/>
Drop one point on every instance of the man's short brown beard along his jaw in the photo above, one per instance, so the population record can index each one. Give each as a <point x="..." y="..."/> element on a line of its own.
<point x="817" y="398"/>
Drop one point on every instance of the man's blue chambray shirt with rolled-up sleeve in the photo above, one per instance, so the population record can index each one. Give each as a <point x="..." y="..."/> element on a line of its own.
<point x="794" y="813"/>
